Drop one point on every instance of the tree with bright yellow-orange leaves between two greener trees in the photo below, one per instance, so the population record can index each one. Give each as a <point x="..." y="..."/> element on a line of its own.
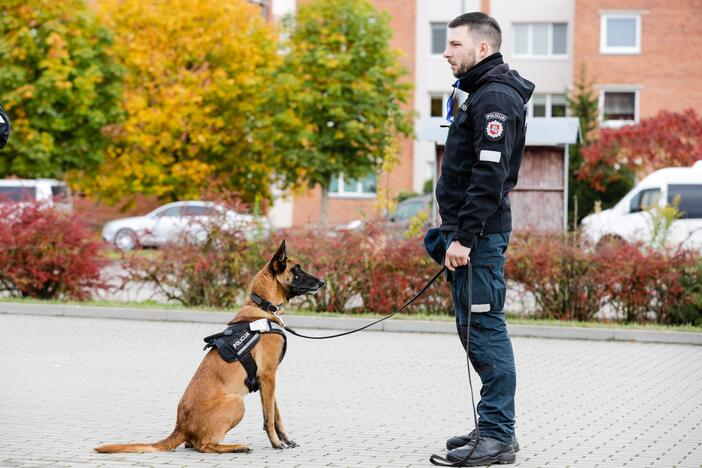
<point x="193" y="92"/>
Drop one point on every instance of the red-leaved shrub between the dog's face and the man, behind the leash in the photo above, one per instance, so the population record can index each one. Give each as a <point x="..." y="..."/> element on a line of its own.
<point x="370" y="269"/>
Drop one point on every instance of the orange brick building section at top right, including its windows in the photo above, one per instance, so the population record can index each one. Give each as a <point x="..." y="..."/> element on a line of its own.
<point x="643" y="55"/>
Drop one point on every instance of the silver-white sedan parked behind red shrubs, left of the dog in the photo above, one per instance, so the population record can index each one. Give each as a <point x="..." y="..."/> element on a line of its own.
<point x="183" y="220"/>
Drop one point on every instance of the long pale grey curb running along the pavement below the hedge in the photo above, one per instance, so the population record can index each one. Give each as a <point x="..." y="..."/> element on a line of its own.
<point x="333" y="323"/>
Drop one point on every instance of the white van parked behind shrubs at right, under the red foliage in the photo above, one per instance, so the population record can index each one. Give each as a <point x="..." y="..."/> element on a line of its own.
<point x="631" y="218"/>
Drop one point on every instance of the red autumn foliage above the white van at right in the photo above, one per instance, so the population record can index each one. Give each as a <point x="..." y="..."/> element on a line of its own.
<point x="668" y="139"/>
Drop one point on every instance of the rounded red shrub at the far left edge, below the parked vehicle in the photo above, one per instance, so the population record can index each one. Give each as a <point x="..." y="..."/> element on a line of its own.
<point x="46" y="253"/>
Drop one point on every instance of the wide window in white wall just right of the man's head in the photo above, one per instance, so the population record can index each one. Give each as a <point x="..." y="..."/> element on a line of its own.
<point x="538" y="40"/>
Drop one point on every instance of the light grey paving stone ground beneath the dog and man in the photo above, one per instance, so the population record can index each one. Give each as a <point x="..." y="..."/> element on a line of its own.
<point x="370" y="399"/>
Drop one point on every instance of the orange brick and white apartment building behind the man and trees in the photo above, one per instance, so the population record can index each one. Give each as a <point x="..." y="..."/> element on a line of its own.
<point x="640" y="54"/>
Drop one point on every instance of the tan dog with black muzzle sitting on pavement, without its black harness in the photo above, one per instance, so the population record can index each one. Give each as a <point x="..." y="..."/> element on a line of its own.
<point x="213" y="402"/>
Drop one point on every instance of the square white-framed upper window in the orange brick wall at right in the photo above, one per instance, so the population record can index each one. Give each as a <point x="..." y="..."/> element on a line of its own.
<point x="620" y="33"/>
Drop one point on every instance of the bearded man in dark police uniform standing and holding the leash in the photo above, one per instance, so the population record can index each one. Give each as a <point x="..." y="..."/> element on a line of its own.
<point x="483" y="153"/>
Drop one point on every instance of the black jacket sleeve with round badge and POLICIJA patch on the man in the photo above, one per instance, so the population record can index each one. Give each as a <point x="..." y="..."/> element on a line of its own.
<point x="494" y="118"/>
